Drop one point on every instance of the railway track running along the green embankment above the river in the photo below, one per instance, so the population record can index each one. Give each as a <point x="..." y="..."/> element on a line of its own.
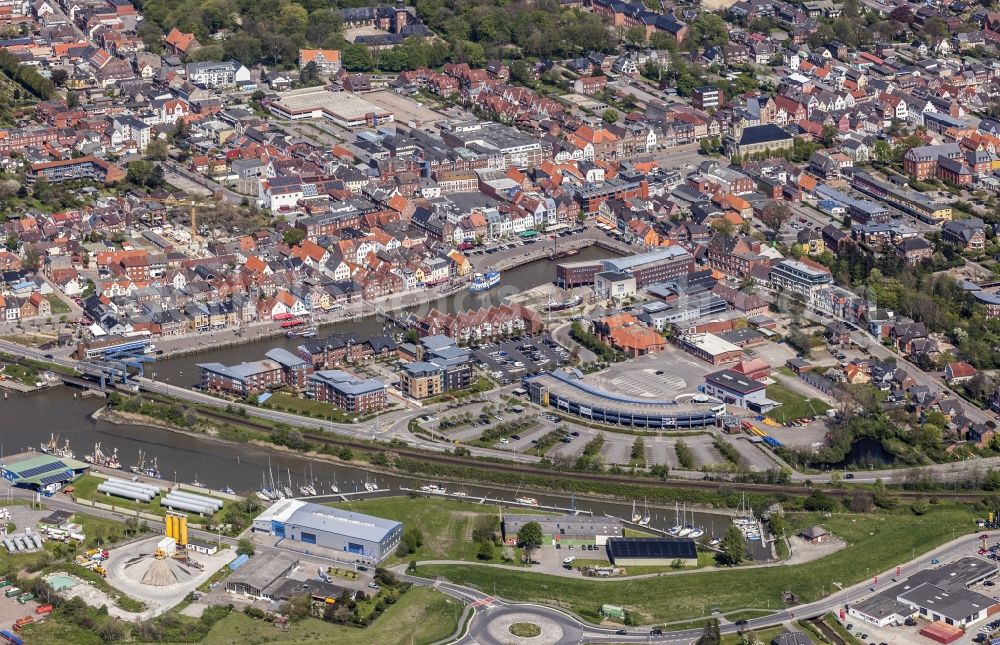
<point x="524" y="469"/>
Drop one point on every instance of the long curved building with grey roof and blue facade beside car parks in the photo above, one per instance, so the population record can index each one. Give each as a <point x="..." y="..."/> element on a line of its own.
<point x="570" y="394"/>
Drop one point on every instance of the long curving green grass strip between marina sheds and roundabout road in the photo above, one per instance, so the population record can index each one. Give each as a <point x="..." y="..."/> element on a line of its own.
<point x="876" y="542"/>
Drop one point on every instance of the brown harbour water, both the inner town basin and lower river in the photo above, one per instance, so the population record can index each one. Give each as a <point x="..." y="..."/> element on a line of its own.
<point x="27" y="420"/>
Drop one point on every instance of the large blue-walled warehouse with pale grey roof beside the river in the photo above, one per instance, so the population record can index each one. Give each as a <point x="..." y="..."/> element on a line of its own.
<point x="330" y="528"/>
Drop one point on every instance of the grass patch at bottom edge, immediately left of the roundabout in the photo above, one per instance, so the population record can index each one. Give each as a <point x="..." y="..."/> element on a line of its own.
<point x="421" y="615"/>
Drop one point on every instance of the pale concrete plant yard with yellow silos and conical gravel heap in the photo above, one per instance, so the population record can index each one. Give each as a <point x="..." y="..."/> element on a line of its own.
<point x="162" y="570"/>
